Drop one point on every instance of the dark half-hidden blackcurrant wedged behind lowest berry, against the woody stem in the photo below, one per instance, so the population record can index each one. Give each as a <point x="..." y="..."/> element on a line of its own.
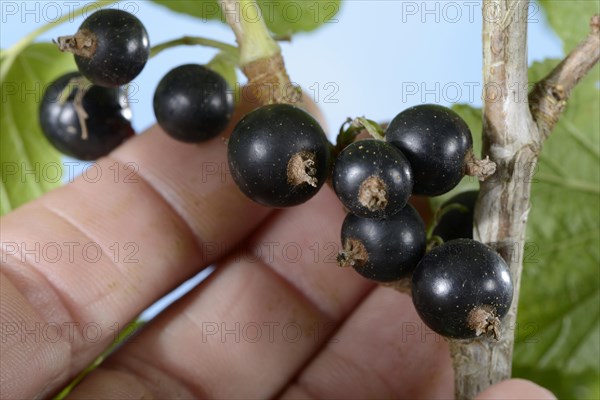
<point x="457" y="223"/>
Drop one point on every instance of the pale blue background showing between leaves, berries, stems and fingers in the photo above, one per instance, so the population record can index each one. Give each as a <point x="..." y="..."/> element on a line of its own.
<point x="379" y="58"/>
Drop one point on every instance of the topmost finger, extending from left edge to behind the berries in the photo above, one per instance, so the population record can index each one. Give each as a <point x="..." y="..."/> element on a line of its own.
<point x="122" y="239"/>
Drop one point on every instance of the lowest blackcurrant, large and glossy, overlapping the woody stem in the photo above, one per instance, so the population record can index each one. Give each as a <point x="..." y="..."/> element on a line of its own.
<point x="462" y="289"/>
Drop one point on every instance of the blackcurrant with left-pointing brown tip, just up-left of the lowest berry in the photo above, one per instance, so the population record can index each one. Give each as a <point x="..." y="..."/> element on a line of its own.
<point x="383" y="250"/>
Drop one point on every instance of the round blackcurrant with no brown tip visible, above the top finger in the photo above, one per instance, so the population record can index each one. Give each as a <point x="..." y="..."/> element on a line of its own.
<point x="193" y="103"/>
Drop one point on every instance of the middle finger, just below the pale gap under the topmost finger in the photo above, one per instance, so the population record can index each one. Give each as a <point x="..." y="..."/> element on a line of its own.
<point x="249" y="329"/>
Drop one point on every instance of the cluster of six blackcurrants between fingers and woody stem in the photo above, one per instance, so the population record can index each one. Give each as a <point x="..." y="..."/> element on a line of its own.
<point x="279" y="157"/>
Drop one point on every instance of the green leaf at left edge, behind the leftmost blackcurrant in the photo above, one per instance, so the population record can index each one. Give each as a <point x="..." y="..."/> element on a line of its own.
<point x="29" y="164"/>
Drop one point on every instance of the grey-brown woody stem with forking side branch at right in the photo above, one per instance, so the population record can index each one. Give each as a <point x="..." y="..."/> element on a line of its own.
<point x="514" y="128"/>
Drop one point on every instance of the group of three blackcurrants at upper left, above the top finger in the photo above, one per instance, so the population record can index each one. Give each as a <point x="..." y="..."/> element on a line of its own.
<point x="86" y="114"/>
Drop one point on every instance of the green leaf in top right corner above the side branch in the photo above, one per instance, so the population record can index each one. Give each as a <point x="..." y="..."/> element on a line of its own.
<point x="570" y="19"/>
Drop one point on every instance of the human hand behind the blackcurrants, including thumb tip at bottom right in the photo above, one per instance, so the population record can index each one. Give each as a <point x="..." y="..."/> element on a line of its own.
<point x="290" y="324"/>
